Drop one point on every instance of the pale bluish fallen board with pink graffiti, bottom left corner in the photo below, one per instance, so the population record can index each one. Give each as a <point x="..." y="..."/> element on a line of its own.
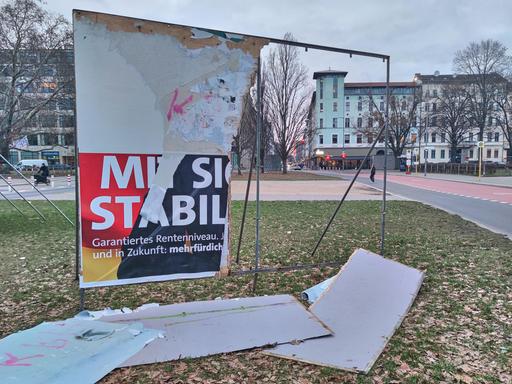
<point x="70" y="351"/>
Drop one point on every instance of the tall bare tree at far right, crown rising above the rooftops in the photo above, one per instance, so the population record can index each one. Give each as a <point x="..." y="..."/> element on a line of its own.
<point x="486" y="62"/>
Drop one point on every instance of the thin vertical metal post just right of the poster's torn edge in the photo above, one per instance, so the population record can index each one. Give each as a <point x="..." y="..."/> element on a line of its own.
<point x="258" y="153"/>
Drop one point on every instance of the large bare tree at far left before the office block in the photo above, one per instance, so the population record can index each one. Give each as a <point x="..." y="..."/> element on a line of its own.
<point x="30" y="40"/>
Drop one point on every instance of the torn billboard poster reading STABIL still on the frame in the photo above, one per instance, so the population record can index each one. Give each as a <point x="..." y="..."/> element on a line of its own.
<point x="157" y="107"/>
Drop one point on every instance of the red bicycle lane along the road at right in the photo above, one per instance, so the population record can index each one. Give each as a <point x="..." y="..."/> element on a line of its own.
<point x="486" y="192"/>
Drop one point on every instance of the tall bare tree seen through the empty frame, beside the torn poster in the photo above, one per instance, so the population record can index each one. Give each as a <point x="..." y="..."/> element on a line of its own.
<point x="286" y="98"/>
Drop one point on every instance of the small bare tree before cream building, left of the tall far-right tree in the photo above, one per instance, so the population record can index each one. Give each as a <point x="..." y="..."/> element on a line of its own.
<point x="453" y="105"/>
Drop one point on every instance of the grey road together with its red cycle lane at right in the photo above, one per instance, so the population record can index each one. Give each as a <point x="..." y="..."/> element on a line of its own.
<point x="487" y="206"/>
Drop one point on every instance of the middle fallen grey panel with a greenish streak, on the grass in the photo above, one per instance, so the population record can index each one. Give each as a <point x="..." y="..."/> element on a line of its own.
<point x="204" y="328"/>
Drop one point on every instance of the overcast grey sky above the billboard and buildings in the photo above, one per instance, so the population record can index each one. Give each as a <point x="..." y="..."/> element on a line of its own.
<point x="419" y="35"/>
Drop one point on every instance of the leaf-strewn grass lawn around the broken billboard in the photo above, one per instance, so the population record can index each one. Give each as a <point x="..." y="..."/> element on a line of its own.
<point x="458" y="330"/>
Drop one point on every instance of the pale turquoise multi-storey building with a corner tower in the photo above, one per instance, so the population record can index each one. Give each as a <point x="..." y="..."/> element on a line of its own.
<point x="346" y="117"/>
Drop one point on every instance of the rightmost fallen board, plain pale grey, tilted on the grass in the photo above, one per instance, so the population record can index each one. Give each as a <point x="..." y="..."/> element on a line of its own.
<point x="364" y="305"/>
